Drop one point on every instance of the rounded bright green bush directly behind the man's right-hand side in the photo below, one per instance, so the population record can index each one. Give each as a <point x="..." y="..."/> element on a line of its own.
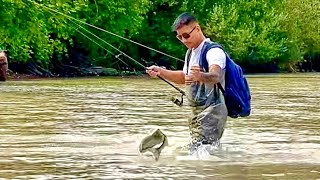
<point x="250" y="30"/>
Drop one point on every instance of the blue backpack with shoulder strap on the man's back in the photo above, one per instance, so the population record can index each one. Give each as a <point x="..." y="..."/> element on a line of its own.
<point x="236" y="92"/>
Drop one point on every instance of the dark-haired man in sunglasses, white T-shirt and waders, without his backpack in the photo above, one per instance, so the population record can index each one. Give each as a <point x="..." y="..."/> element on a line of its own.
<point x="209" y="112"/>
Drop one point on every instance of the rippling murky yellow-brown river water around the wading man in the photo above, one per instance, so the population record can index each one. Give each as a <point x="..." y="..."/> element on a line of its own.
<point x="91" y="128"/>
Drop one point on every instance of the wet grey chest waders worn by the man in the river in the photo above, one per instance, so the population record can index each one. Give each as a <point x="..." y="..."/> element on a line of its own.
<point x="209" y="112"/>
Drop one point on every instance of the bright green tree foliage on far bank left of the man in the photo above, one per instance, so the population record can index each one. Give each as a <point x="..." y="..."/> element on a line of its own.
<point x="32" y="32"/>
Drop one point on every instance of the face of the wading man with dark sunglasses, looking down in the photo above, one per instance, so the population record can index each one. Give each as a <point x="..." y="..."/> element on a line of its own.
<point x="187" y="34"/>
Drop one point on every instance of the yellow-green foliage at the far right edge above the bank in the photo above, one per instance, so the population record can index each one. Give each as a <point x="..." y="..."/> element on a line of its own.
<point x="302" y="27"/>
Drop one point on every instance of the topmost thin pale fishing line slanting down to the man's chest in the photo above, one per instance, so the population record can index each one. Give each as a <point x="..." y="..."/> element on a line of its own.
<point x="70" y="17"/>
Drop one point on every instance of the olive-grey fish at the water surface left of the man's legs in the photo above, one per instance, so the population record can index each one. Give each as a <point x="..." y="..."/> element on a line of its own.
<point x="154" y="143"/>
